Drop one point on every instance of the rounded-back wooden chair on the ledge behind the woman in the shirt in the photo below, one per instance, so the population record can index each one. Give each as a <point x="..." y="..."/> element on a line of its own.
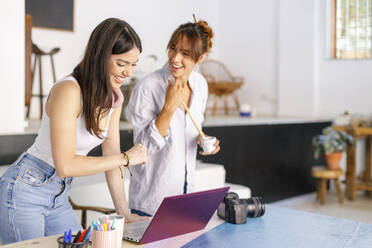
<point x="221" y="83"/>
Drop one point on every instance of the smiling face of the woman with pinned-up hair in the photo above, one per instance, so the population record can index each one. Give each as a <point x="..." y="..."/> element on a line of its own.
<point x="180" y="60"/>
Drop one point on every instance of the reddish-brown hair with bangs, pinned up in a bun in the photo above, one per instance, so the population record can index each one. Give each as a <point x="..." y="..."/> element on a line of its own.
<point x="199" y="34"/>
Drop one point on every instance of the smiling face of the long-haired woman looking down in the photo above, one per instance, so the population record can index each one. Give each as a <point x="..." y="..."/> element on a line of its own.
<point x="122" y="66"/>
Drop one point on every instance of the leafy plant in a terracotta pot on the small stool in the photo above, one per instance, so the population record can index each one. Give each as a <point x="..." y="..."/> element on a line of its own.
<point x="333" y="143"/>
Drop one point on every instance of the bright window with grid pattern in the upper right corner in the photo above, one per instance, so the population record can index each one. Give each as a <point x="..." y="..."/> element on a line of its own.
<point x="350" y="33"/>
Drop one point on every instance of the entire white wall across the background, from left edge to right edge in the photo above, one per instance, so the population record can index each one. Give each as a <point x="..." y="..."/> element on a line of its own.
<point x="277" y="45"/>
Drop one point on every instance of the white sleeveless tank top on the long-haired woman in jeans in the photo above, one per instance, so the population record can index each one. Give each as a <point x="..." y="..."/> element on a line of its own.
<point x="85" y="141"/>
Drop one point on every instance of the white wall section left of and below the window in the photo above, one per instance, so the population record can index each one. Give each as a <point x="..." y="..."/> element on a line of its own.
<point x="343" y="84"/>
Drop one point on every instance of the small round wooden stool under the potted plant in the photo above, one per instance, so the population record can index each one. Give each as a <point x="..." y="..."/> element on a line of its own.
<point x="322" y="174"/>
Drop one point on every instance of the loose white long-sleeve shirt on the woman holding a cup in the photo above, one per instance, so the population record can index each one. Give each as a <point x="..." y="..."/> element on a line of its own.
<point x="168" y="158"/>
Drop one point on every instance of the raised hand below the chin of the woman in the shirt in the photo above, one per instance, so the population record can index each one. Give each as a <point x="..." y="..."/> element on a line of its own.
<point x="174" y="96"/>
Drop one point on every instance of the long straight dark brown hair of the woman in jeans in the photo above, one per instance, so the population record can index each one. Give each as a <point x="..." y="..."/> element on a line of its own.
<point x="112" y="36"/>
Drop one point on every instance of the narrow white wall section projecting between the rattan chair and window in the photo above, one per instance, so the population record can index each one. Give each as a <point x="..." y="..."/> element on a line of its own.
<point x="296" y="67"/>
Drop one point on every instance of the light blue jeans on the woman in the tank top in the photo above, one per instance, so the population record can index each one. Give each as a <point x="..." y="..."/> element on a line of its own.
<point x="34" y="201"/>
